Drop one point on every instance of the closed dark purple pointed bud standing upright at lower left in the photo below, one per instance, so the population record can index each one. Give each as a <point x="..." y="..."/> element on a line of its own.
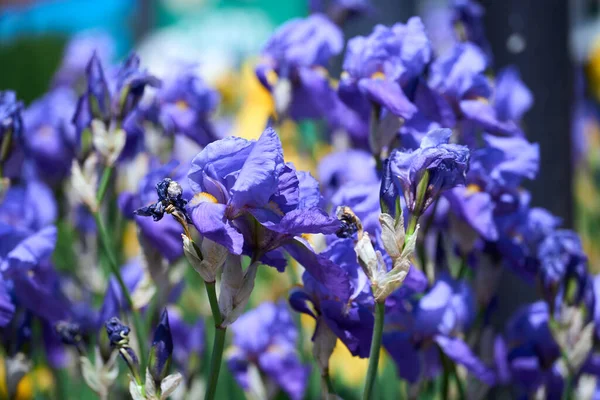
<point x="162" y="350"/>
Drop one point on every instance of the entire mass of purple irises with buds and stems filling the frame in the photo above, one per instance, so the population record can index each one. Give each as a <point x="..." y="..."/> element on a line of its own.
<point x="418" y="212"/>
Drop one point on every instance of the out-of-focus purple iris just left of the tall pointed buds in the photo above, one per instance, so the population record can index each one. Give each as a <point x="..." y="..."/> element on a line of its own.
<point x="51" y="140"/>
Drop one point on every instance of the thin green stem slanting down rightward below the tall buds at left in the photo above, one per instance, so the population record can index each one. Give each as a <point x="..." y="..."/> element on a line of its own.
<point x="114" y="268"/>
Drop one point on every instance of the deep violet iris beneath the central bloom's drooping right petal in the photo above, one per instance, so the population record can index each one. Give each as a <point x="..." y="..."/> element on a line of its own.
<point x="351" y="321"/>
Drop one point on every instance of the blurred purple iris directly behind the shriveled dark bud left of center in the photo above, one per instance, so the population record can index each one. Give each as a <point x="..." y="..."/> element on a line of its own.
<point x="165" y="234"/>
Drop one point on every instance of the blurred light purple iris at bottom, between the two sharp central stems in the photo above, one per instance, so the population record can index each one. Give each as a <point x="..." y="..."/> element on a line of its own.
<point x="266" y="337"/>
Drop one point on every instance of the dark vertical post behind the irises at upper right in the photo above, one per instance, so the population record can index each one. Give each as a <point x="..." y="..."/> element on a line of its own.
<point x="534" y="36"/>
